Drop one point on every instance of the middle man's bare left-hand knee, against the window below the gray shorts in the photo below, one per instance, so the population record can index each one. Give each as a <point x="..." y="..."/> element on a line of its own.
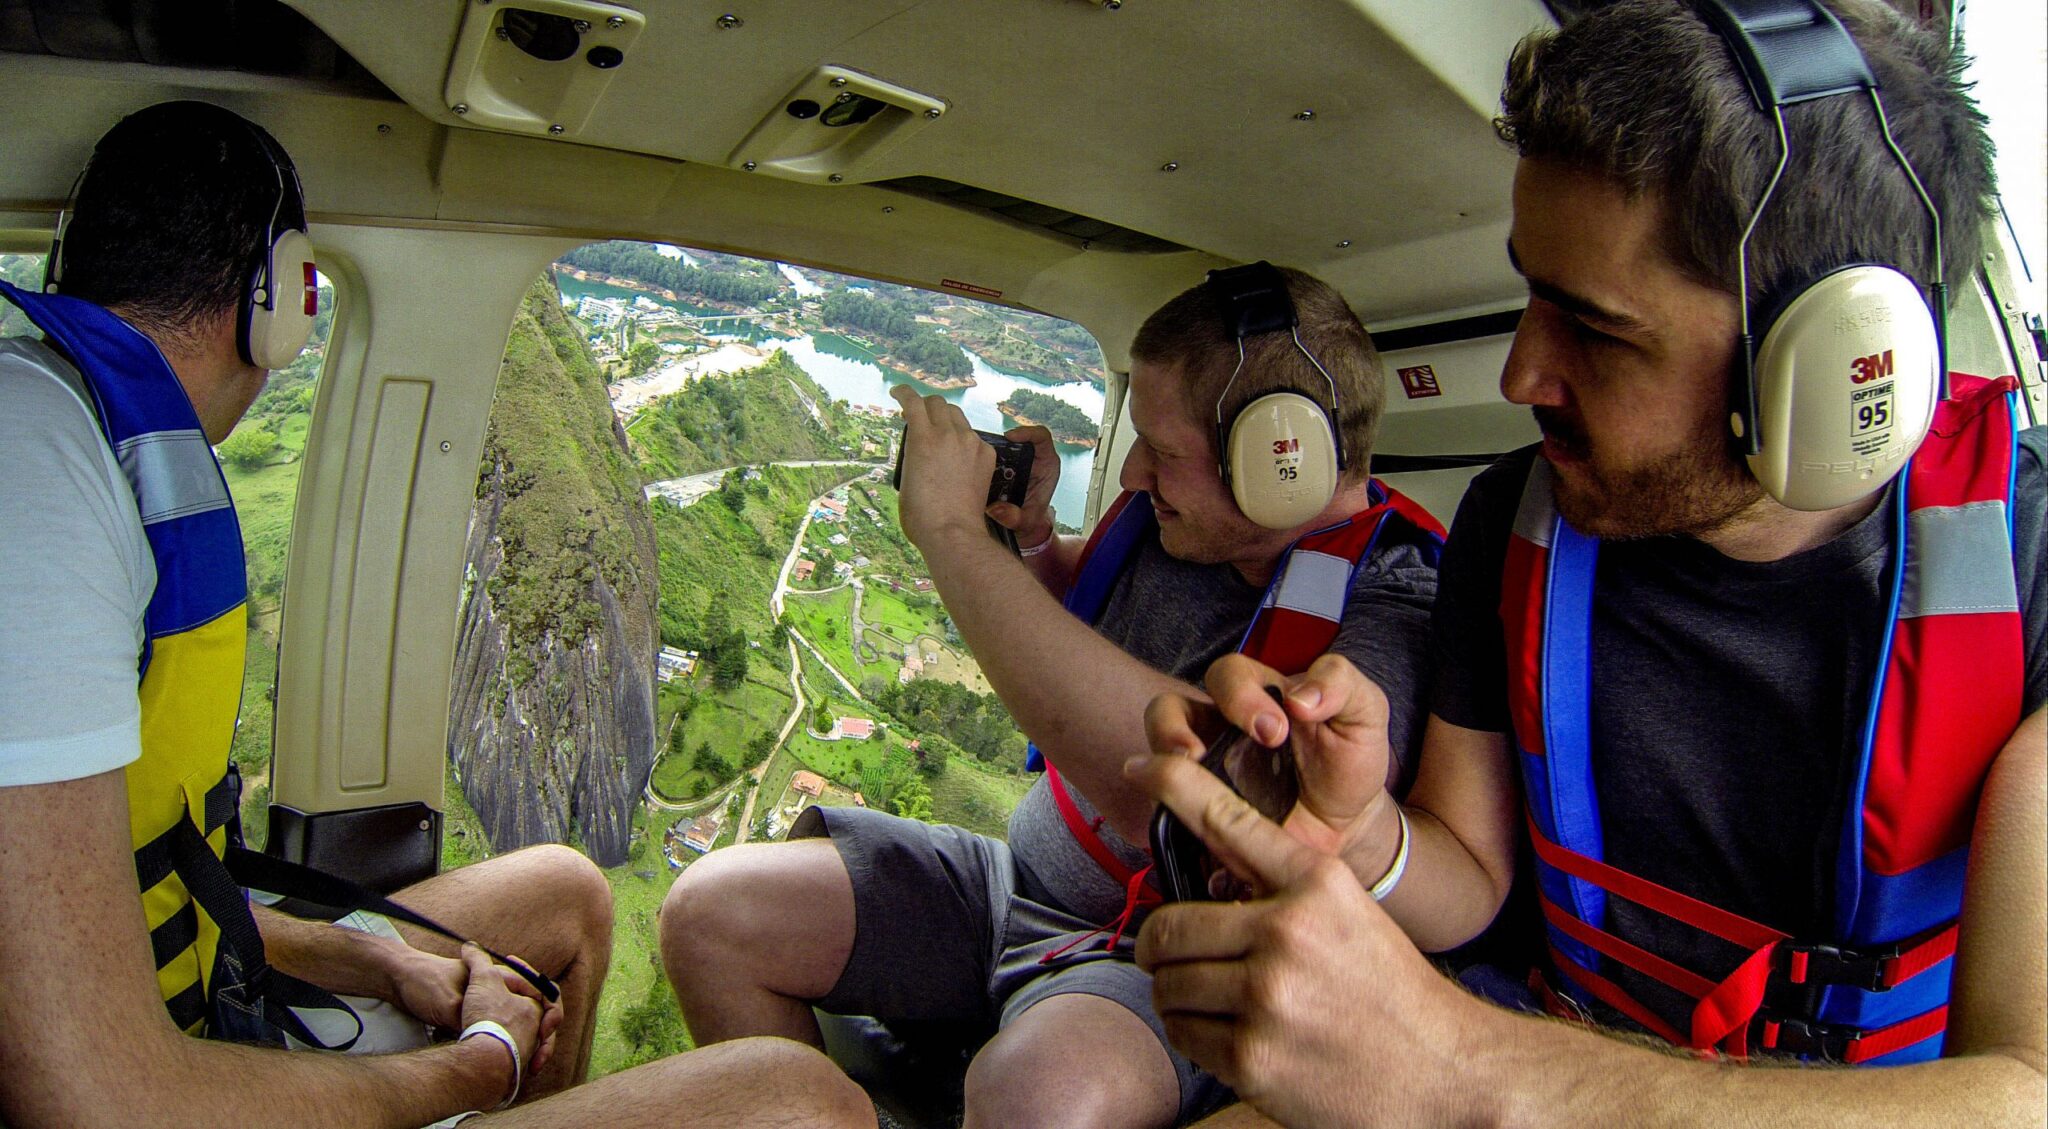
<point x="753" y="933"/>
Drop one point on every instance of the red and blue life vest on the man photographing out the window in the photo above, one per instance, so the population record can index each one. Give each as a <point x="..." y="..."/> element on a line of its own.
<point x="1295" y="624"/>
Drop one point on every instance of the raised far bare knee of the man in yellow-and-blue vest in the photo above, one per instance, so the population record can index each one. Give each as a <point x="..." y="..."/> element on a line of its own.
<point x="548" y="907"/>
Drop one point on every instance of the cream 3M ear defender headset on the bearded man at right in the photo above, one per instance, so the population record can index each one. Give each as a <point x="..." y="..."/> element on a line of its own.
<point x="1844" y="384"/>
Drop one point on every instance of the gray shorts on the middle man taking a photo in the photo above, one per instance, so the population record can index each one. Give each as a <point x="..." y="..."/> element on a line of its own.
<point x="943" y="933"/>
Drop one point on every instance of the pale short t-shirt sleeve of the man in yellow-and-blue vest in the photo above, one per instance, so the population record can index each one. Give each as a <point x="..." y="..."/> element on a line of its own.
<point x="75" y="579"/>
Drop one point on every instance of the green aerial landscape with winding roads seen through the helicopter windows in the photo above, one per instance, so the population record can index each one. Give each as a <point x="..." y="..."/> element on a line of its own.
<point x="822" y="669"/>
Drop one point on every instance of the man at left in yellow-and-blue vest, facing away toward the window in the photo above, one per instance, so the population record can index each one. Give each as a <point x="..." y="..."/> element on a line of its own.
<point x="134" y="974"/>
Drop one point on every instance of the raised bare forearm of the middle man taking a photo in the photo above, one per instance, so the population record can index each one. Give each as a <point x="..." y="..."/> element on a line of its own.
<point x="1068" y="687"/>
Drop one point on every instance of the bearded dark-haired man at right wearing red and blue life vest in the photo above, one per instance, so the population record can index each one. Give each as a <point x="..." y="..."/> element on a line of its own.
<point x="1750" y="761"/>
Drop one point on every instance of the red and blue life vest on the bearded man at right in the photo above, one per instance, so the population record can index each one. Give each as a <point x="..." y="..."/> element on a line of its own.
<point x="1947" y="700"/>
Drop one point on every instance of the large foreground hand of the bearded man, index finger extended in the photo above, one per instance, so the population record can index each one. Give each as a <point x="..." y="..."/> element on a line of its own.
<point x="1310" y="1001"/>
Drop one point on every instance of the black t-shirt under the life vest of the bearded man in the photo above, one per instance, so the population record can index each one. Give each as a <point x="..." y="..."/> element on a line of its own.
<point x="1727" y="704"/>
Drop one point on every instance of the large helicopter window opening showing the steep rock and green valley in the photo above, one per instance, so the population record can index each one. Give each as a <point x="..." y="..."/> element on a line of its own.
<point x="687" y="593"/>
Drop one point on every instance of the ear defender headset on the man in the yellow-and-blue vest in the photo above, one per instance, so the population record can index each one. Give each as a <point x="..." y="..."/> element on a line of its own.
<point x="275" y="317"/>
